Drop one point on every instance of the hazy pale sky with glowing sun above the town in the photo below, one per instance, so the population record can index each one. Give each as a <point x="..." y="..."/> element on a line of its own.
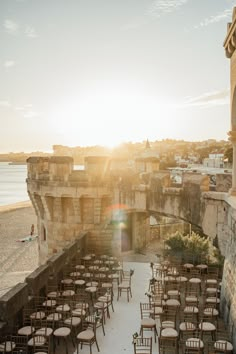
<point x="89" y="72"/>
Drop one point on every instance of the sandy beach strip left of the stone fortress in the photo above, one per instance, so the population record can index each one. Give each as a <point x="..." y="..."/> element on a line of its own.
<point x="17" y="259"/>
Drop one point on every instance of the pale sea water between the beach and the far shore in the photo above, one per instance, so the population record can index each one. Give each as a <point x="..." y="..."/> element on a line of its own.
<point x="13" y="187"/>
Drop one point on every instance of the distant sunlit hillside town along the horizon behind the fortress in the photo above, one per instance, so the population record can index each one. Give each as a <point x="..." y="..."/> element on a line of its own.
<point x="171" y="153"/>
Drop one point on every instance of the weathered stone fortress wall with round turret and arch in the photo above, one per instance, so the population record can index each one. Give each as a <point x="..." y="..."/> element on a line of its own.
<point x="113" y="206"/>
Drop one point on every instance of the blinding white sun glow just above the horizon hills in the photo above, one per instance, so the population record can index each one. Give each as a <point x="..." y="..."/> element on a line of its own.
<point x="106" y="118"/>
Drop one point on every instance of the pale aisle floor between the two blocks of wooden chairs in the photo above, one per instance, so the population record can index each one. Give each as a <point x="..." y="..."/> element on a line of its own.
<point x="125" y="319"/>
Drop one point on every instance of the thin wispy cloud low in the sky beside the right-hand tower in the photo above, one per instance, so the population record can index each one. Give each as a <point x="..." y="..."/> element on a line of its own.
<point x="214" y="98"/>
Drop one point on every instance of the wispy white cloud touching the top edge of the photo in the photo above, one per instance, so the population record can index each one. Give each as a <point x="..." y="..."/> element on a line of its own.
<point x="160" y="7"/>
